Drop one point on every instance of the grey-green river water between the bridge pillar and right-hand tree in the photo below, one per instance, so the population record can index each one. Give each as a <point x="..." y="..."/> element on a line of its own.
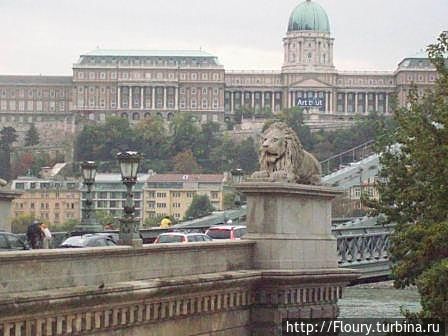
<point x="377" y="301"/>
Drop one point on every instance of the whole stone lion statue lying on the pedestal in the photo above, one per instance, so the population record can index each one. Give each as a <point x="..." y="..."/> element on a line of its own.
<point x="282" y="157"/>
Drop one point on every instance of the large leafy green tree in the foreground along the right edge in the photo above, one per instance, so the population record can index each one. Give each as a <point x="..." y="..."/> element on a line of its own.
<point x="414" y="192"/>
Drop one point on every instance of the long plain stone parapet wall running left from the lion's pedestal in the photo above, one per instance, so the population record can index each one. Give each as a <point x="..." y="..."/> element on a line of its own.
<point x="65" y="268"/>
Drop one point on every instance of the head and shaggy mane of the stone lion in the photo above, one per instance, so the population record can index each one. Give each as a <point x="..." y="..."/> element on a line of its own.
<point x="280" y="147"/>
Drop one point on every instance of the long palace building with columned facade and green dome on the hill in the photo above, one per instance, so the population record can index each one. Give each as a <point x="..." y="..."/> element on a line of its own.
<point x="136" y="84"/>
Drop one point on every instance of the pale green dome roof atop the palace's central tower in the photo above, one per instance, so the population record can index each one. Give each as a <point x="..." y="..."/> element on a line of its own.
<point x="309" y="15"/>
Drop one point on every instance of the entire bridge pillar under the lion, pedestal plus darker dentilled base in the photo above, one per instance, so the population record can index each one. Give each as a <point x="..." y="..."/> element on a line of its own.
<point x="291" y="225"/>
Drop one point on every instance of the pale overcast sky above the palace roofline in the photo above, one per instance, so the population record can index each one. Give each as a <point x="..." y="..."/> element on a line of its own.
<point x="47" y="36"/>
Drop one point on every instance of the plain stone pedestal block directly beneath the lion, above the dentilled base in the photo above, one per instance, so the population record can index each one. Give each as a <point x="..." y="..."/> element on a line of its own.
<point x="291" y="224"/>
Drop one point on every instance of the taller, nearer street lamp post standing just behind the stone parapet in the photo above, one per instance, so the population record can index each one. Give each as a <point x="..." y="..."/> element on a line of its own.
<point x="129" y="227"/>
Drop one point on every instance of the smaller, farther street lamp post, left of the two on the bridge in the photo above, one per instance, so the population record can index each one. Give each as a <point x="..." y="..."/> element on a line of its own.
<point x="88" y="221"/>
